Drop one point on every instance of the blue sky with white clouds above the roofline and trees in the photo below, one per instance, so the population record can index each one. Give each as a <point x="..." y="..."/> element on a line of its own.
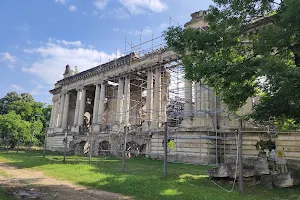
<point x="40" y="37"/>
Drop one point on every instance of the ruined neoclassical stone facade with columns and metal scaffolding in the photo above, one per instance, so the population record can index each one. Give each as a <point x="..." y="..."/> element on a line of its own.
<point x="139" y="92"/>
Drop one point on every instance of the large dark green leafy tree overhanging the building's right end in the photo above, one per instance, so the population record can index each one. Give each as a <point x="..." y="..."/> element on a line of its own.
<point x="265" y="63"/>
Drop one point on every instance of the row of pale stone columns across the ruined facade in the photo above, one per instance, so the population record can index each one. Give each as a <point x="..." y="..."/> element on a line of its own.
<point x="202" y="99"/>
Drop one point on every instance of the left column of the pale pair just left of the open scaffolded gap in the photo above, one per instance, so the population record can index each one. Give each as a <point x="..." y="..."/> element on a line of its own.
<point x="149" y="101"/>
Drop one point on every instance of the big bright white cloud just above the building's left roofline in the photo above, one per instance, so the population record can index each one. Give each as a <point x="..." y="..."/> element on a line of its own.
<point x="54" y="57"/>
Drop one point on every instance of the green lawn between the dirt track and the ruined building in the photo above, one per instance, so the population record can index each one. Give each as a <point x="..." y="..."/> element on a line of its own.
<point x="143" y="178"/>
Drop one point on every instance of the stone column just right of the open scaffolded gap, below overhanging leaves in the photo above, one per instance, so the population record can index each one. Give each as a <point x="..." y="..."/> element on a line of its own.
<point x="188" y="98"/>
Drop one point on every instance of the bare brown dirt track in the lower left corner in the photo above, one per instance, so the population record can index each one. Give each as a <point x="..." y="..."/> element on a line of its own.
<point x="29" y="184"/>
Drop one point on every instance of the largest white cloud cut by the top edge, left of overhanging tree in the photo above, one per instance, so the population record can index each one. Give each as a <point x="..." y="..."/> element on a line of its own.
<point x="143" y="6"/>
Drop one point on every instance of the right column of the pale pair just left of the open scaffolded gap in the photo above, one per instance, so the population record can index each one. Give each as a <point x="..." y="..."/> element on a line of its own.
<point x="156" y="100"/>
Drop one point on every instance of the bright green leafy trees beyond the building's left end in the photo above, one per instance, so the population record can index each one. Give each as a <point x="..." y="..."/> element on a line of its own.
<point x="22" y="118"/>
